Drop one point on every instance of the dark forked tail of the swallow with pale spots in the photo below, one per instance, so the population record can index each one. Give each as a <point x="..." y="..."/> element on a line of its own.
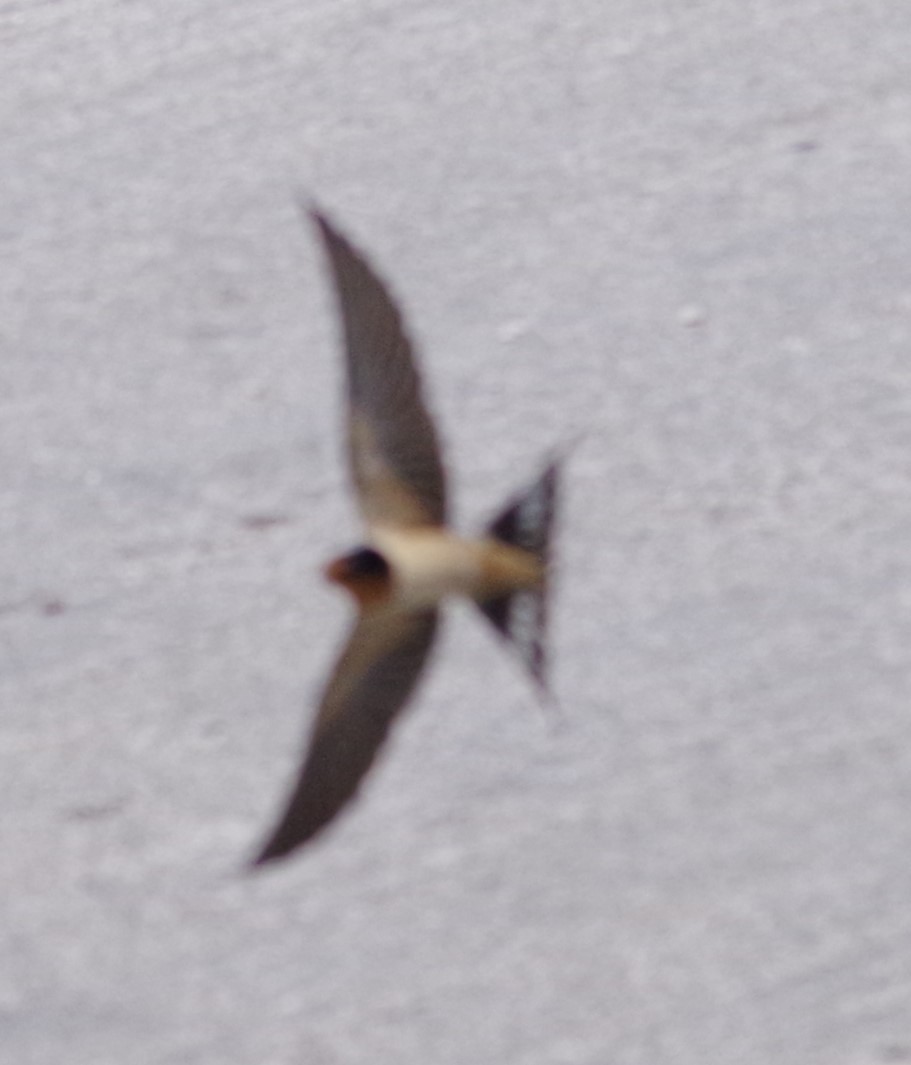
<point x="522" y="617"/>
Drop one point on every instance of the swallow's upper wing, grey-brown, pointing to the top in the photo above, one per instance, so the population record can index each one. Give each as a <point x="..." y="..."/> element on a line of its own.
<point x="394" y="449"/>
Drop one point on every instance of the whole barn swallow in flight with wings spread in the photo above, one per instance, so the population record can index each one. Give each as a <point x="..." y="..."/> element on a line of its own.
<point x="411" y="560"/>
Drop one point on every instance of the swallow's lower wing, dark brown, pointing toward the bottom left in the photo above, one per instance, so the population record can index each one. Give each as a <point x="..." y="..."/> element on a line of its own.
<point x="371" y="683"/>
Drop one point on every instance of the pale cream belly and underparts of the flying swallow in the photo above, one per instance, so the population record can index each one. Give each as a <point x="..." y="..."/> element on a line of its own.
<point x="431" y="564"/>
